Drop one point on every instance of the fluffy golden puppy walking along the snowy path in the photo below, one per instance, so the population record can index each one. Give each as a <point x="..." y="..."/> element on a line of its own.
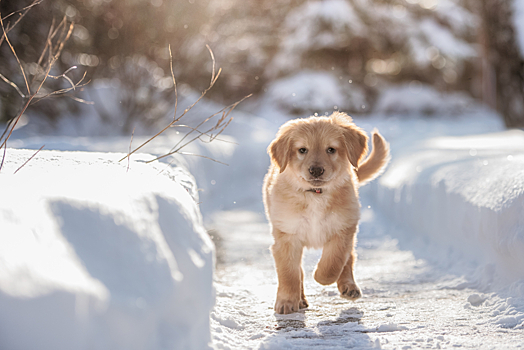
<point x="311" y="200"/>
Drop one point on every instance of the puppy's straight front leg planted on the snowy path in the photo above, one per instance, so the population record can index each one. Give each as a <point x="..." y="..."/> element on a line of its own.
<point x="287" y="252"/>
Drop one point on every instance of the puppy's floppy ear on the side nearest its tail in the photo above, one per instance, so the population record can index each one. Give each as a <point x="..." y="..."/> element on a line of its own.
<point x="355" y="138"/>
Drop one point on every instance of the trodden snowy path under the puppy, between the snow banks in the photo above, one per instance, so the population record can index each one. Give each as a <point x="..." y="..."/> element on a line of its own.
<point x="408" y="303"/>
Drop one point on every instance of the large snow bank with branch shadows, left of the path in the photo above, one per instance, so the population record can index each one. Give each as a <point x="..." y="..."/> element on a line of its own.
<point x="93" y="255"/>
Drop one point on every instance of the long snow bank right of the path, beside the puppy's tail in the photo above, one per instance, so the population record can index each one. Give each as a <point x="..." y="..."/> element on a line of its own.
<point x="459" y="201"/>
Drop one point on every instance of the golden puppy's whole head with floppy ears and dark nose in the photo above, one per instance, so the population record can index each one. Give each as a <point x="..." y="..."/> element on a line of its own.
<point x="317" y="149"/>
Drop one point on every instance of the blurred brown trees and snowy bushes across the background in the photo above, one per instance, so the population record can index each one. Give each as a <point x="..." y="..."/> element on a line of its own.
<point x="353" y="55"/>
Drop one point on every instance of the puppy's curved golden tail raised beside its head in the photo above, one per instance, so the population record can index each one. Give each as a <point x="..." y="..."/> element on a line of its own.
<point x="376" y="162"/>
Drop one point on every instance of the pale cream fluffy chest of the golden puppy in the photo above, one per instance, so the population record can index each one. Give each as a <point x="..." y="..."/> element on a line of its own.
<point x="314" y="220"/>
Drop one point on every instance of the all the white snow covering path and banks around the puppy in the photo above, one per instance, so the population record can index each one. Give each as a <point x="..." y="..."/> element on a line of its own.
<point x="439" y="245"/>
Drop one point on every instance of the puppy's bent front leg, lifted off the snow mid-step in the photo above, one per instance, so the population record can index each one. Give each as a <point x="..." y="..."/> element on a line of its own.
<point x="335" y="255"/>
